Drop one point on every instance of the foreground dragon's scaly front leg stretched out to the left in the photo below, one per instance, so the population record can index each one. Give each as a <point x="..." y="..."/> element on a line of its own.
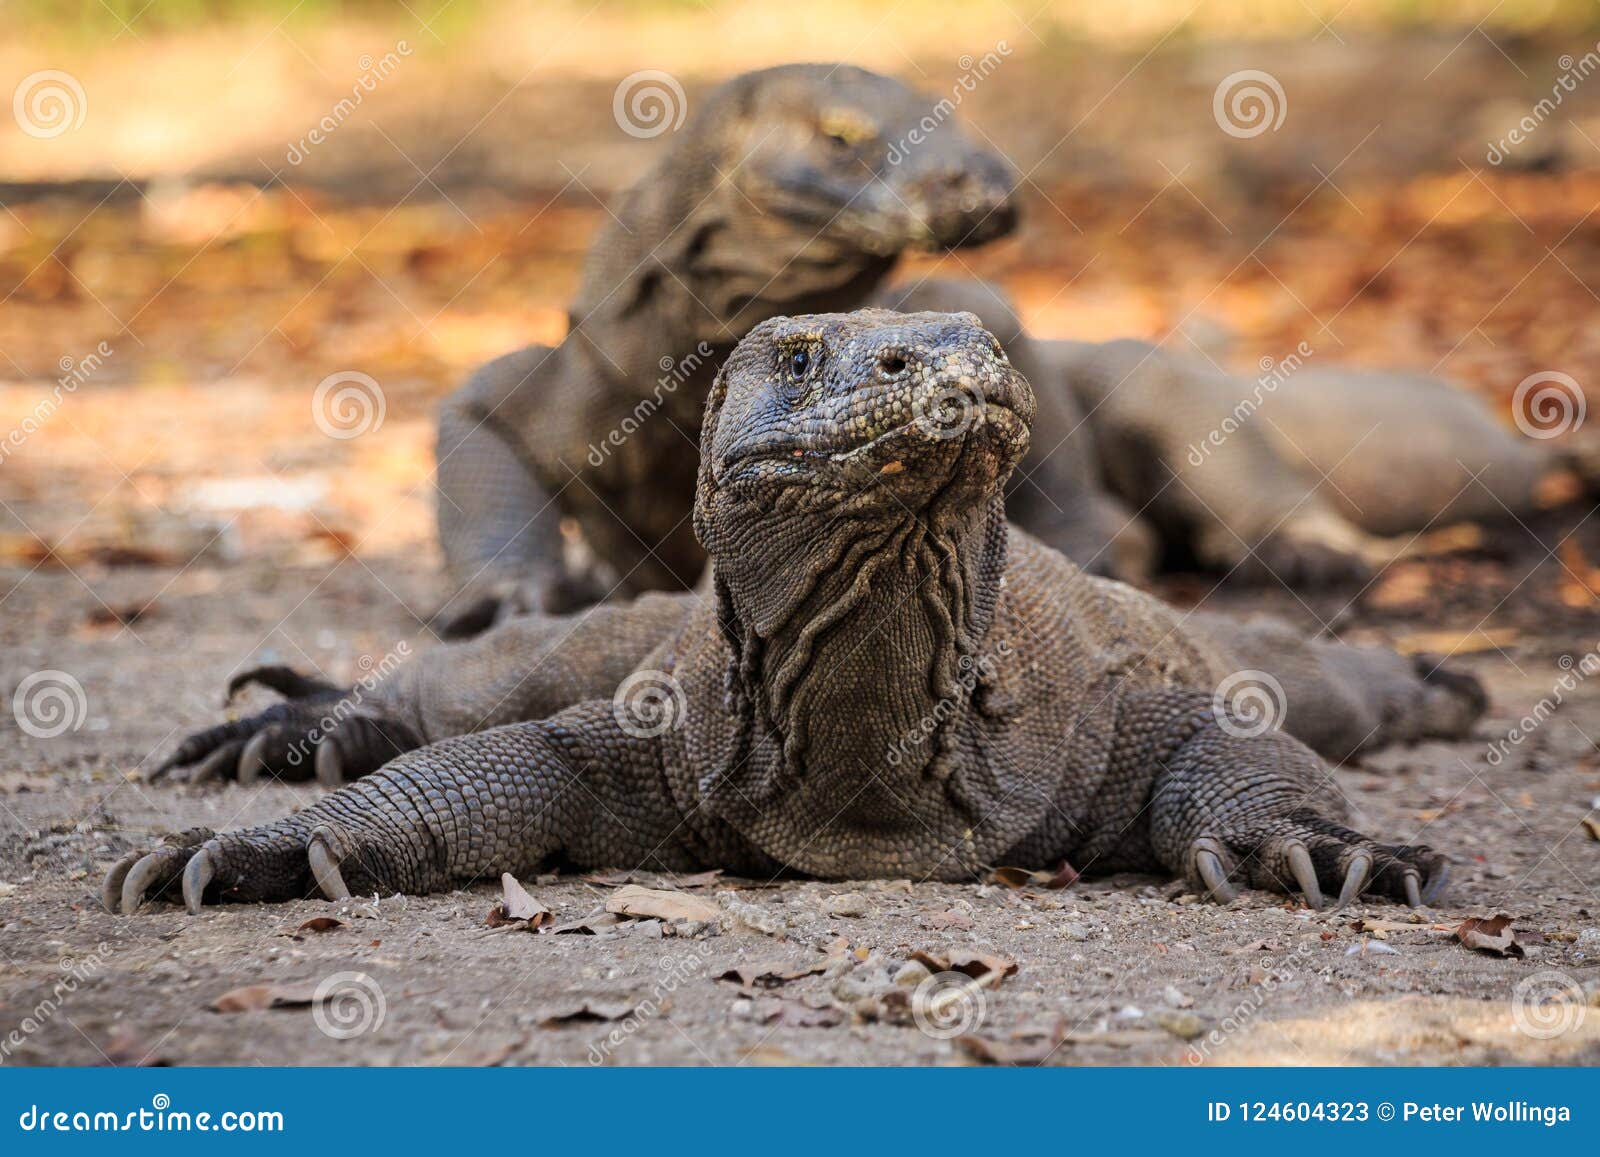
<point x="462" y="811"/>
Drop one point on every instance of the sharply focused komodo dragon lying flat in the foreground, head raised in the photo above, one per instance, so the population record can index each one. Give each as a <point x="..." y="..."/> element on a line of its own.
<point x="886" y="679"/>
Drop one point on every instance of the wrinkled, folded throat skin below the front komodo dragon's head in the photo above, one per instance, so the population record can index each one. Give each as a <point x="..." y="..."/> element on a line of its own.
<point x="857" y="655"/>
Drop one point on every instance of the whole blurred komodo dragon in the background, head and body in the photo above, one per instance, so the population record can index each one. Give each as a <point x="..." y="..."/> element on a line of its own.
<point x="794" y="190"/>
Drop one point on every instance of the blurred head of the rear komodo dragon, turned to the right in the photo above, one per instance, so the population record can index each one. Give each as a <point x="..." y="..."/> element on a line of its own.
<point x="788" y="191"/>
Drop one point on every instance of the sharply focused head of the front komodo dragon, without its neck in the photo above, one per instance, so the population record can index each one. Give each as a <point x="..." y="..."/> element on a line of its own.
<point x="866" y="414"/>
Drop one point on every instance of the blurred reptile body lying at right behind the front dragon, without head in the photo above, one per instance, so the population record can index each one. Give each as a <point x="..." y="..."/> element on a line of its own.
<point x="1303" y="476"/>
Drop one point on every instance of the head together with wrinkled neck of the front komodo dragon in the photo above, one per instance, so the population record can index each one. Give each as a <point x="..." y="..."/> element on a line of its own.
<point x="850" y="498"/>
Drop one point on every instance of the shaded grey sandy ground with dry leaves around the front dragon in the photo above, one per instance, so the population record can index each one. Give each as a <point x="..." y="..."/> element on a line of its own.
<point x="1113" y="972"/>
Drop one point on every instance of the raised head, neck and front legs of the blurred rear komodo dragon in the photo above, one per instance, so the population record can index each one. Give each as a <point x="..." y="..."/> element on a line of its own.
<point x="783" y="194"/>
